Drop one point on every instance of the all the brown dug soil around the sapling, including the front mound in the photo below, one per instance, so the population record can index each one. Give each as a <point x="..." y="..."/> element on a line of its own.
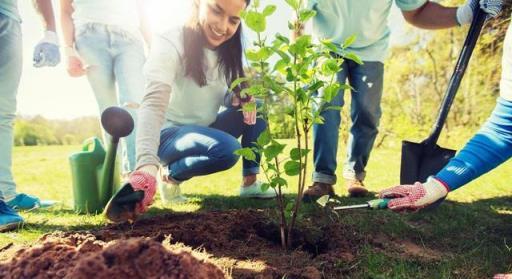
<point x="244" y="243"/>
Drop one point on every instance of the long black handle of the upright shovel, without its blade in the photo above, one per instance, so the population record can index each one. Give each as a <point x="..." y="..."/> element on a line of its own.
<point x="460" y="68"/>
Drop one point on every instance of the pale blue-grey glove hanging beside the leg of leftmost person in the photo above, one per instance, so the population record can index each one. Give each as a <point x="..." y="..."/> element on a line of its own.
<point x="46" y="52"/>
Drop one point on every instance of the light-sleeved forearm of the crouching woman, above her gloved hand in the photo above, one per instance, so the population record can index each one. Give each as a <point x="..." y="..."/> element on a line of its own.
<point x="151" y="118"/>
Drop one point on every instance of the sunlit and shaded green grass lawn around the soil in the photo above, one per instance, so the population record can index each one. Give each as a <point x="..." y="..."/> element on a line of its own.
<point x="472" y="231"/>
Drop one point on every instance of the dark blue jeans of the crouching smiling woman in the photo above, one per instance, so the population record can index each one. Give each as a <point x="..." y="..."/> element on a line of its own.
<point x="192" y="150"/>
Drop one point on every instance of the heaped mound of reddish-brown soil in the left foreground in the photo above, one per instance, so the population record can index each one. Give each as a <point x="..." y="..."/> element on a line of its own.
<point x="82" y="256"/>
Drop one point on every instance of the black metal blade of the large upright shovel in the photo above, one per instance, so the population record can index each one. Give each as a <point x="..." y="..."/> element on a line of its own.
<point x="420" y="160"/>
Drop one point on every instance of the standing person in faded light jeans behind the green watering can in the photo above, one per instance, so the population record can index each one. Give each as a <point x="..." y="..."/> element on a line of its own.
<point x="104" y="40"/>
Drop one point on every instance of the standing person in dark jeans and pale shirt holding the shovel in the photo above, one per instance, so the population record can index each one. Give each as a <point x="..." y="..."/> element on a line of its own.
<point x="367" y="20"/>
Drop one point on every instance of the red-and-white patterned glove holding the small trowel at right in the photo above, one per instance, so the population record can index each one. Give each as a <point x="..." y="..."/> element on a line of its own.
<point x="415" y="197"/>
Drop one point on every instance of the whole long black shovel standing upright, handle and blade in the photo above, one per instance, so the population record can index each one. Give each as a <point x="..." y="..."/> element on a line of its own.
<point x="421" y="160"/>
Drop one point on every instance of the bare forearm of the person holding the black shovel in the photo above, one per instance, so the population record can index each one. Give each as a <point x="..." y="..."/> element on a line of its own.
<point x="432" y="16"/>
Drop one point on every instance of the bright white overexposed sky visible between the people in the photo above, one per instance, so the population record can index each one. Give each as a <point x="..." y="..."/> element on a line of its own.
<point x="50" y="92"/>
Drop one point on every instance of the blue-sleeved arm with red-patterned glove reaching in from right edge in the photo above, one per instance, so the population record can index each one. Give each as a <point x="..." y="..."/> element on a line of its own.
<point x="487" y="149"/>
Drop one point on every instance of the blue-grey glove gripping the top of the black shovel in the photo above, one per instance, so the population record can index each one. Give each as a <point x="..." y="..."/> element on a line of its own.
<point x="491" y="7"/>
